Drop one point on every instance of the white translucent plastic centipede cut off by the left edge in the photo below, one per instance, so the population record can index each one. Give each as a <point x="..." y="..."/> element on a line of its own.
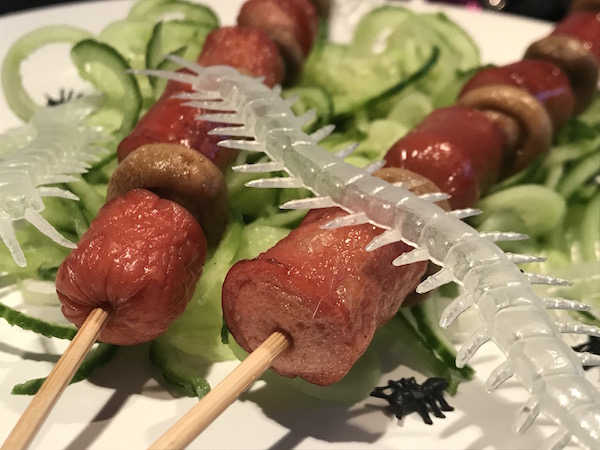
<point x="53" y="147"/>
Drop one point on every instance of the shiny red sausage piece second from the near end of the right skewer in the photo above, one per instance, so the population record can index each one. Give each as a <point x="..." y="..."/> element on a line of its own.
<point x="459" y="149"/>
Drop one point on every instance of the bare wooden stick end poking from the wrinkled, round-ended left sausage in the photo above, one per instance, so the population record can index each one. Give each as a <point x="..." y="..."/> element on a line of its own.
<point x="61" y="375"/>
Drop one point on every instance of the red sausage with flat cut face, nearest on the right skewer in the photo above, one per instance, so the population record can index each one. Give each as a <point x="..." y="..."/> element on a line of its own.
<point x="324" y="290"/>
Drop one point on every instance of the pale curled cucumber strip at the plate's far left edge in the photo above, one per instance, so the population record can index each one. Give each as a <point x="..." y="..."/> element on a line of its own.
<point x="19" y="101"/>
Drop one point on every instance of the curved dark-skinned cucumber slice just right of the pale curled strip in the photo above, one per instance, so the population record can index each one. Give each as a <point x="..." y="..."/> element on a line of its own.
<point x="107" y="70"/>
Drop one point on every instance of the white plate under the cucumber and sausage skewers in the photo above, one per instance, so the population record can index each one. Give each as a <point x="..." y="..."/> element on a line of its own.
<point x="123" y="407"/>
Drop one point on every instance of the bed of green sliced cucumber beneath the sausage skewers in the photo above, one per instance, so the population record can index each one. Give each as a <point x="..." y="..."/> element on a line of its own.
<point x="396" y="67"/>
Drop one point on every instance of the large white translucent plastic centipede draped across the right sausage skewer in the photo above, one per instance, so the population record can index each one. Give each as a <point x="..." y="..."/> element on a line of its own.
<point x="513" y="316"/>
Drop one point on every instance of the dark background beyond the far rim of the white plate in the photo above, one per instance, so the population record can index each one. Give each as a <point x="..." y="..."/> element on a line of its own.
<point x="543" y="9"/>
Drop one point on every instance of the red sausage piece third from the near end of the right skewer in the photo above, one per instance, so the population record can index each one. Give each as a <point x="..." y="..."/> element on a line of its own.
<point x="544" y="80"/>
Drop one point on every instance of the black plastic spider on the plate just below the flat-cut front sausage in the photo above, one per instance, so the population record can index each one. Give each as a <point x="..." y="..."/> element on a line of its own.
<point x="408" y="396"/>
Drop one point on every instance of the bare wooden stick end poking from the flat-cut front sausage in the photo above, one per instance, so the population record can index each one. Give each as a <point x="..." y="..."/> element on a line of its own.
<point x="223" y="395"/>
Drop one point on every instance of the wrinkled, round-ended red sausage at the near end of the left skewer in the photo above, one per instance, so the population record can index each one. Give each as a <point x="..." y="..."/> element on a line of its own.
<point x="140" y="259"/>
